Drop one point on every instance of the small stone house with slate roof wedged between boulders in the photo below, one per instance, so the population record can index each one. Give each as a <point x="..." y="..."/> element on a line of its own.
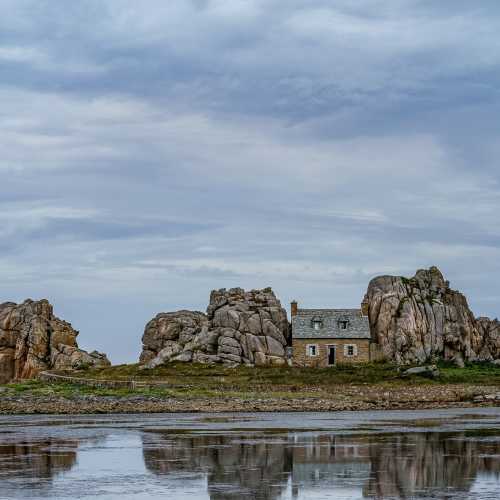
<point x="326" y="337"/>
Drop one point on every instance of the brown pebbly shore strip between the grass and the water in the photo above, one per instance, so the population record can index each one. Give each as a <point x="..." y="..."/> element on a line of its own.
<point x="351" y="398"/>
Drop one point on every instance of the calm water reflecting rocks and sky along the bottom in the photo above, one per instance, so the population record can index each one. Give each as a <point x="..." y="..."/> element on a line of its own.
<point x="451" y="454"/>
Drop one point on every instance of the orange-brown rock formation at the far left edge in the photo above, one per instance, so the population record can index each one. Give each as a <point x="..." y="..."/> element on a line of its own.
<point x="32" y="339"/>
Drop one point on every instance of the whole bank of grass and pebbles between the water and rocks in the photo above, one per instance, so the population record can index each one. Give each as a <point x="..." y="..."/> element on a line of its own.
<point x="187" y="387"/>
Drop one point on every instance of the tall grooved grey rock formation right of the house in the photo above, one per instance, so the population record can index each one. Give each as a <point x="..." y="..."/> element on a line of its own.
<point x="417" y="319"/>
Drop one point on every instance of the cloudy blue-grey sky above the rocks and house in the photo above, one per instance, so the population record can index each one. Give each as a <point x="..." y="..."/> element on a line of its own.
<point x="153" y="151"/>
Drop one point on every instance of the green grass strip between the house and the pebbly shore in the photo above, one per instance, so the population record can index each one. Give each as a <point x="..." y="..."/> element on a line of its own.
<point x="215" y="381"/>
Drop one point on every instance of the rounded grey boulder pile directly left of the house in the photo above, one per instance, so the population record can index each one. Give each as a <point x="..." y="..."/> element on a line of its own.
<point x="240" y="327"/>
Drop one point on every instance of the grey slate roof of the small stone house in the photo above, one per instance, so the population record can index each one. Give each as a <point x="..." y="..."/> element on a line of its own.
<point x="358" y="326"/>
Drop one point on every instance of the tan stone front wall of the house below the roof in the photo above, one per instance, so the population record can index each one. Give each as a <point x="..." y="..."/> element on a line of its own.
<point x="300" y="357"/>
